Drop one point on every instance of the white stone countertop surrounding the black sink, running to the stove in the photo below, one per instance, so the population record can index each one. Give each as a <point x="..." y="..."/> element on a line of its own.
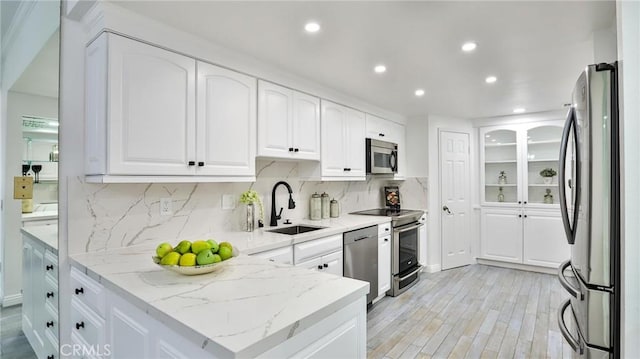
<point x="261" y="240"/>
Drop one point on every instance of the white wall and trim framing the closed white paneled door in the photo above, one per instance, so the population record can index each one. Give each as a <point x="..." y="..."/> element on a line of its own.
<point x="435" y="124"/>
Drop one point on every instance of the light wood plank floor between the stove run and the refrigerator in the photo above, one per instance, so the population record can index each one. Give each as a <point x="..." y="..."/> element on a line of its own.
<point x="476" y="311"/>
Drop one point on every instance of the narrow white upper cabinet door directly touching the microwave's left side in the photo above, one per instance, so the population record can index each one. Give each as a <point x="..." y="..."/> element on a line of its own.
<point x="355" y="143"/>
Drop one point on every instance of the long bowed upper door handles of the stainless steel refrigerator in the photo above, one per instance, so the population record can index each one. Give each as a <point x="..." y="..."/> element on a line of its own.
<point x="564" y="145"/>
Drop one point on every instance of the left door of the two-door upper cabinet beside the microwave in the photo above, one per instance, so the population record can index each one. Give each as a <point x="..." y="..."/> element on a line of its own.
<point x="333" y="139"/>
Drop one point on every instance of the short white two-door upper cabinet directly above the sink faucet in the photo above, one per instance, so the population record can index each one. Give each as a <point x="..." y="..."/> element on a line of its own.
<point x="288" y="123"/>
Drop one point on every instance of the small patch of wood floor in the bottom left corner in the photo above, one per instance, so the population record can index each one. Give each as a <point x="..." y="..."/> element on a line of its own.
<point x="13" y="343"/>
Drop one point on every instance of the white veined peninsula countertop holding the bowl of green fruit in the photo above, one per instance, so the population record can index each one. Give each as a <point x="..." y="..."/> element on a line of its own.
<point x="245" y="308"/>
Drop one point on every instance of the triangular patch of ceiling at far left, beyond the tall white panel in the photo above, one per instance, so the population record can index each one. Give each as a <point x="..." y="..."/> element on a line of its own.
<point x="41" y="76"/>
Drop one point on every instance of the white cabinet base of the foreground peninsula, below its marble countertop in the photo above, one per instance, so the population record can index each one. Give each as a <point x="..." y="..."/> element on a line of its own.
<point x="127" y="331"/>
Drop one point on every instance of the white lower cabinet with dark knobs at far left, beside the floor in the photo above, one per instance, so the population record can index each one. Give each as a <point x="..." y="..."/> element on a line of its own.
<point x="39" y="298"/>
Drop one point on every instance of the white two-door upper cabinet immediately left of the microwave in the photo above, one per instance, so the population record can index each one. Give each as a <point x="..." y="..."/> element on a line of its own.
<point x="343" y="142"/>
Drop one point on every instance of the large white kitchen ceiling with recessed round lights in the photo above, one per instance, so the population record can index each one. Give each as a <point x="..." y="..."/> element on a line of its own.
<point x="536" y="49"/>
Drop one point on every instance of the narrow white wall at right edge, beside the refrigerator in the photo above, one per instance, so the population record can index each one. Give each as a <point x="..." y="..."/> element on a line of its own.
<point x="628" y="13"/>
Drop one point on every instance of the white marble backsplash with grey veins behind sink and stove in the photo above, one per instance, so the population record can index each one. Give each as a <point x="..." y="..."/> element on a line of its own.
<point x="108" y="216"/>
